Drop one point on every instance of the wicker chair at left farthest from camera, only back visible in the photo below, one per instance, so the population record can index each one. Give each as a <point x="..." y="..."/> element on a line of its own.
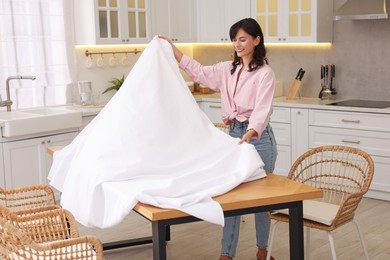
<point x="27" y="197"/>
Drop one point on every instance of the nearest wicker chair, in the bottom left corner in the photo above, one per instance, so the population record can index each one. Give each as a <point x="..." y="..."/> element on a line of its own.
<point x="15" y="244"/>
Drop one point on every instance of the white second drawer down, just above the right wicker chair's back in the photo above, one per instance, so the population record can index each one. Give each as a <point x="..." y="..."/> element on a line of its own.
<point x="373" y="143"/>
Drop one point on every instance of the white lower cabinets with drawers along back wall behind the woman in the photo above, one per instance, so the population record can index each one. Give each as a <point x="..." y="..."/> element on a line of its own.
<point x="298" y="129"/>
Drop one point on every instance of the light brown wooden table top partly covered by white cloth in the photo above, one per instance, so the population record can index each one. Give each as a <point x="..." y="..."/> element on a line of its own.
<point x="273" y="189"/>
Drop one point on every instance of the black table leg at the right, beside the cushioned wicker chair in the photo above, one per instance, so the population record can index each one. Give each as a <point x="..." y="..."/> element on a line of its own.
<point x="296" y="232"/>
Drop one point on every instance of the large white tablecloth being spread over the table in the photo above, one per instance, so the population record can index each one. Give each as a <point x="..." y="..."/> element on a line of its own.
<point x="151" y="143"/>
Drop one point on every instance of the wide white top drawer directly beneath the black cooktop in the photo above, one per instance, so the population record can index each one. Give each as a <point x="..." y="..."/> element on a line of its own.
<point x="351" y="120"/>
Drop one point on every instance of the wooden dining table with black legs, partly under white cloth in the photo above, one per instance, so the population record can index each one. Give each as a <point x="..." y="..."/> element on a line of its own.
<point x="272" y="192"/>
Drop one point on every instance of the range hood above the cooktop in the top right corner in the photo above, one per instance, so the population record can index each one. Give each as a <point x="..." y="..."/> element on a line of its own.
<point x="360" y="10"/>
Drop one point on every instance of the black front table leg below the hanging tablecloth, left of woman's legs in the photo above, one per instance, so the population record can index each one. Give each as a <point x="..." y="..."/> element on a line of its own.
<point x="159" y="230"/>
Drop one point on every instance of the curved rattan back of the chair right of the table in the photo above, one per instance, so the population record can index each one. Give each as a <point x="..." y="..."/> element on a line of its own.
<point x="343" y="173"/>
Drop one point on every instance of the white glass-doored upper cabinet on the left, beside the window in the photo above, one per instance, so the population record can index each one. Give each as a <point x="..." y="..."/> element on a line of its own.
<point x="112" y="21"/>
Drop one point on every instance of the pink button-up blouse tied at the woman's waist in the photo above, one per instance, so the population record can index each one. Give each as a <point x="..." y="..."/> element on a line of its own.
<point x="254" y="93"/>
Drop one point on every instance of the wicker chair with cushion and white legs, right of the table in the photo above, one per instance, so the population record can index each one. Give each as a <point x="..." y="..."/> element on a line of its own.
<point x="344" y="174"/>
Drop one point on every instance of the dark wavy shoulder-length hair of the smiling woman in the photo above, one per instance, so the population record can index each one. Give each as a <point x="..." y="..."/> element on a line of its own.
<point x="251" y="27"/>
